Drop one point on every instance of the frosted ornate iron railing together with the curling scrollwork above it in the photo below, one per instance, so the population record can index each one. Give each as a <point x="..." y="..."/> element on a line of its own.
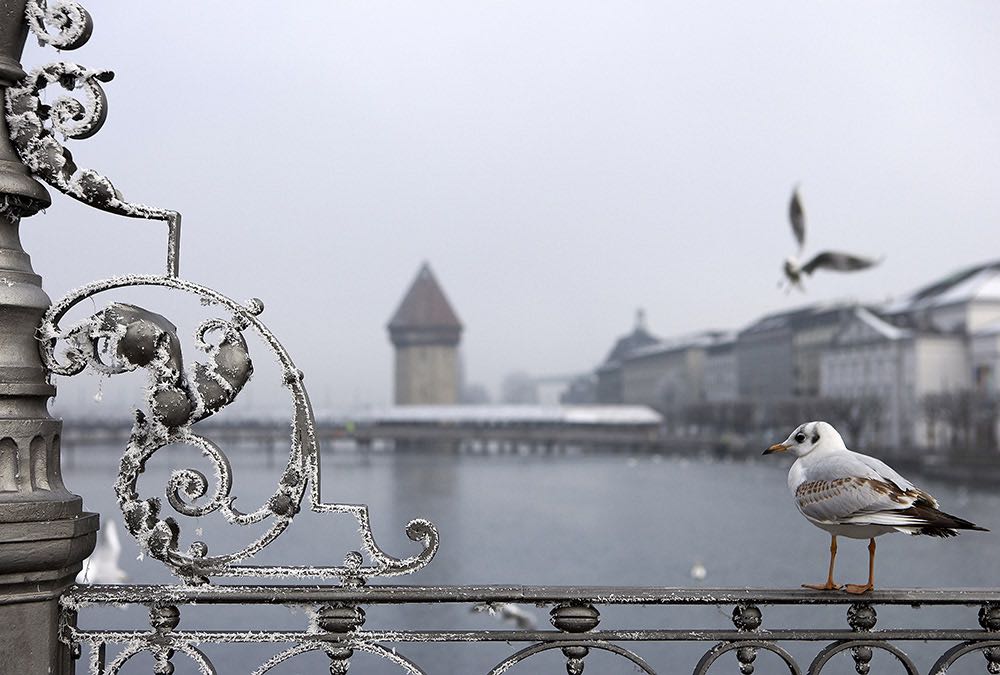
<point x="121" y="338"/>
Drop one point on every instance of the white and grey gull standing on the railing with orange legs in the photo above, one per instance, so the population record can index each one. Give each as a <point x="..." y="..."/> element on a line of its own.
<point x="857" y="496"/>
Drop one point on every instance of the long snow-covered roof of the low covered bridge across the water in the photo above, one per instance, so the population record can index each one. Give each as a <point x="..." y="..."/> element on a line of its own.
<point x="511" y="414"/>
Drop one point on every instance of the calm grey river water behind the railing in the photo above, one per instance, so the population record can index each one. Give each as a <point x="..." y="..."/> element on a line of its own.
<point x="594" y="519"/>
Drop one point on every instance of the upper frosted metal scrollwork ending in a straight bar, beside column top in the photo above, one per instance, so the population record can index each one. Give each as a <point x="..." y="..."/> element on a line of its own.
<point x="34" y="124"/>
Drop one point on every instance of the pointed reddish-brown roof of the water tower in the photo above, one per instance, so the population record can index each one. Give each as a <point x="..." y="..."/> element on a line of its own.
<point x="425" y="316"/>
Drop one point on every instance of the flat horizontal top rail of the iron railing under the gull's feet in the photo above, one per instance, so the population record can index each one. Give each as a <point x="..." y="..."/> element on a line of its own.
<point x="604" y="595"/>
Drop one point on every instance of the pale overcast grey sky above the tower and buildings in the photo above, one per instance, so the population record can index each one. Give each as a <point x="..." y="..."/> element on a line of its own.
<point x="558" y="163"/>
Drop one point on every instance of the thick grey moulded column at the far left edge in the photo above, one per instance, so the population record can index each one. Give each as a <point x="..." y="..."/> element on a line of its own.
<point x="44" y="533"/>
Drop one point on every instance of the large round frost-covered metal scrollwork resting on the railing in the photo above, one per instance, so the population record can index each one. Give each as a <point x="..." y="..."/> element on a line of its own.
<point x="122" y="338"/>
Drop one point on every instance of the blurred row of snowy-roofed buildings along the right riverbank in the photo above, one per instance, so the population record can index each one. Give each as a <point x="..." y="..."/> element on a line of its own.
<point x="916" y="372"/>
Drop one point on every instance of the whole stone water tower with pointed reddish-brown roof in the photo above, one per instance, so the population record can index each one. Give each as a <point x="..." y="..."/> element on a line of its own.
<point x="425" y="332"/>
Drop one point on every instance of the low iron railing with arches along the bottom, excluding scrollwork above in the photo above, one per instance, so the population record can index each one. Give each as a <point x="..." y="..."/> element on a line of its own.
<point x="336" y="619"/>
